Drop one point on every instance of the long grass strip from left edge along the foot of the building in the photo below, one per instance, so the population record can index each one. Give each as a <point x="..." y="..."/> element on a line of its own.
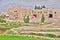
<point x="16" y="24"/>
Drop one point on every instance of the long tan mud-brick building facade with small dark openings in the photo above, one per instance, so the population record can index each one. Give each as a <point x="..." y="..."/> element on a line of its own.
<point x="17" y="14"/>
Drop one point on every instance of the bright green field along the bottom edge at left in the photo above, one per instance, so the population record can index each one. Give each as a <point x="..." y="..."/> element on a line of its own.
<point x="20" y="38"/>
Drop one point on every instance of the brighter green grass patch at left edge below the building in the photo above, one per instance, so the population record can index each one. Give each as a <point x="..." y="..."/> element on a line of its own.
<point x="10" y="25"/>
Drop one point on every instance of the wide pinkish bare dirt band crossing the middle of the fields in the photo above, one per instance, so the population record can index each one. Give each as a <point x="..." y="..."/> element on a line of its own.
<point x="34" y="28"/>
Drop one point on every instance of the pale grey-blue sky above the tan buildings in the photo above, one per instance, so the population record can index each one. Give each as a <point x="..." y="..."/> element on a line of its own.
<point x="5" y="4"/>
